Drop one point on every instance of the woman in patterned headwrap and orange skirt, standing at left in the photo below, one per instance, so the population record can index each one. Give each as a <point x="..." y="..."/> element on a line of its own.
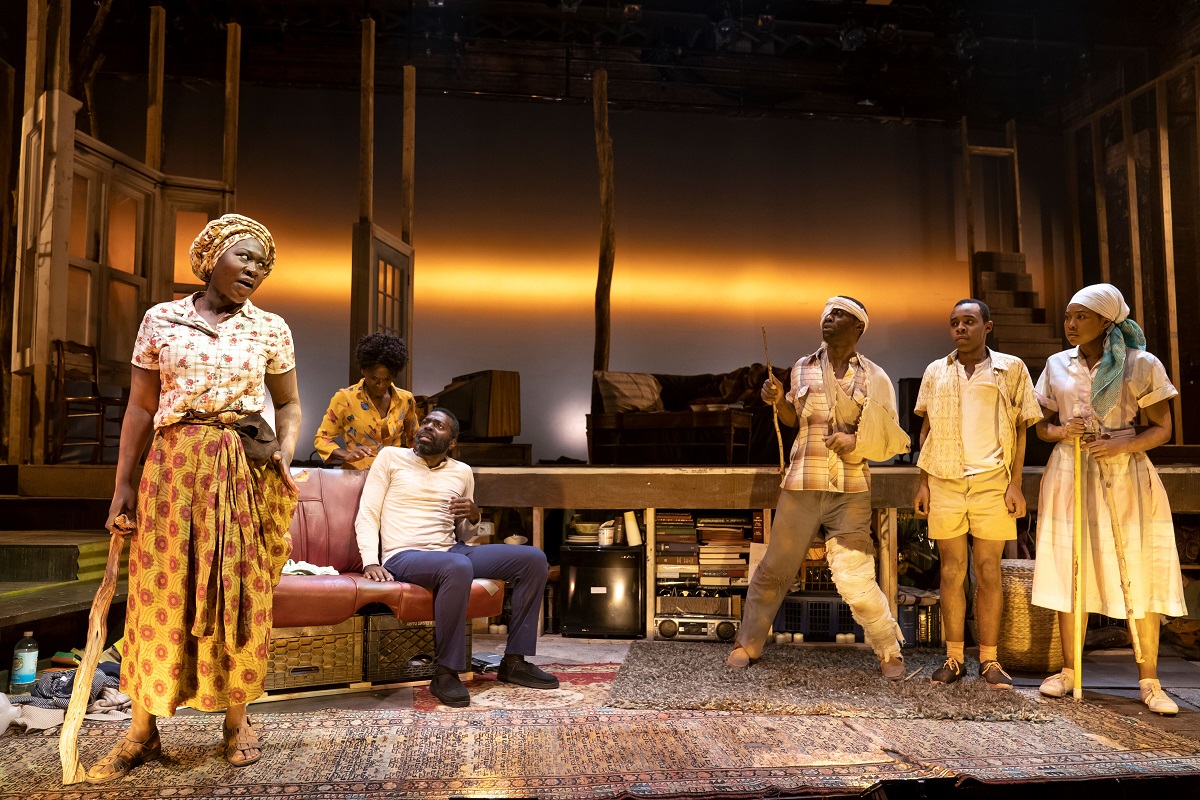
<point x="212" y="526"/>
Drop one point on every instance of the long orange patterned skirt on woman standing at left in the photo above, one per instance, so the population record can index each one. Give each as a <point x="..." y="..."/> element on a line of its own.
<point x="212" y="542"/>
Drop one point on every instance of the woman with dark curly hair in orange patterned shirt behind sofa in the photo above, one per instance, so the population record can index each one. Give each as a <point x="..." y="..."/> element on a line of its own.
<point x="374" y="413"/>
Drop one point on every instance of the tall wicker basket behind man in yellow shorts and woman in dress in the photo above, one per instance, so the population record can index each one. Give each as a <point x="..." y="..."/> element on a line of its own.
<point x="1029" y="634"/>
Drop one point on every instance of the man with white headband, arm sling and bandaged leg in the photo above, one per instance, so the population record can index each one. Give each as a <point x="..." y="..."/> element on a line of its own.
<point x="847" y="412"/>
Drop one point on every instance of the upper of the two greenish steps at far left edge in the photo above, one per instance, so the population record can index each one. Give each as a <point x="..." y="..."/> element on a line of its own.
<point x="56" y="556"/>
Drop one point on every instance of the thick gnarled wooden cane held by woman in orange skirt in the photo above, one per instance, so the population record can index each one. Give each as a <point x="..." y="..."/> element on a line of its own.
<point x="98" y="630"/>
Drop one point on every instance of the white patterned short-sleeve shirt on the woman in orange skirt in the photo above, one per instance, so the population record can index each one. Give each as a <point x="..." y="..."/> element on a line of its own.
<point x="209" y="370"/>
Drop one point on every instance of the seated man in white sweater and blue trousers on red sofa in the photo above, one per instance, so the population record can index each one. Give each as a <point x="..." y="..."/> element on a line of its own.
<point x="421" y="502"/>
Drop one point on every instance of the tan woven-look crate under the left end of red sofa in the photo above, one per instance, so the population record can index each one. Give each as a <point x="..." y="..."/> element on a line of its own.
<point x="317" y="655"/>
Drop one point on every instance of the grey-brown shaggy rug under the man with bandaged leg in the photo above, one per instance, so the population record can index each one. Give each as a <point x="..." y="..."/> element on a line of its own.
<point x="837" y="682"/>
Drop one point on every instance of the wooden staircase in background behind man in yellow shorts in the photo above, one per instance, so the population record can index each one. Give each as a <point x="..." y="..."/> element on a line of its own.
<point x="1021" y="326"/>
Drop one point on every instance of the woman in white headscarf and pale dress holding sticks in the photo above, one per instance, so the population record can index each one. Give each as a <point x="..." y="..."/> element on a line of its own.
<point x="1096" y="392"/>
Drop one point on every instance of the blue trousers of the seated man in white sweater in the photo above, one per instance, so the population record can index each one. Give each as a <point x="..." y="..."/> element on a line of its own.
<point x="448" y="575"/>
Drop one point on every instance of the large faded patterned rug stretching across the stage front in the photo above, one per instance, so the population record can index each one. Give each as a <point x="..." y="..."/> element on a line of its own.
<point x="565" y="745"/>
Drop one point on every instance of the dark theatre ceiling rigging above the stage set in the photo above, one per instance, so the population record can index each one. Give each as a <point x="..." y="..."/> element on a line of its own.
<point x="920" y="61"/>
